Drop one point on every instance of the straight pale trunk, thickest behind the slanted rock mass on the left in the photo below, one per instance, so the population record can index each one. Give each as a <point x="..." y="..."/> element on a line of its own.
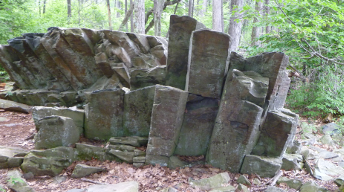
<point x="139" y="26"/>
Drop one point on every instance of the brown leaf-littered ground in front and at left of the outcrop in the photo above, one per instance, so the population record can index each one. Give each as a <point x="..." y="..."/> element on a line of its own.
<point x="16" y="129"/>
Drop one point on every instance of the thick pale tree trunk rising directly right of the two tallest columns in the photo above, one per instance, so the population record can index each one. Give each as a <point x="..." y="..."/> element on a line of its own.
<point x="235" y="23"/>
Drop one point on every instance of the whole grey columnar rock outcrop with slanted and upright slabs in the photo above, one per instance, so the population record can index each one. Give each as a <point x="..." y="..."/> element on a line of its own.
<point x="190" y="96"/>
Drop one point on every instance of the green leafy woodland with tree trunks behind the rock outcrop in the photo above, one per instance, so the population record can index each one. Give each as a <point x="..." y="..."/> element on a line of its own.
<point x="310" y="32"/>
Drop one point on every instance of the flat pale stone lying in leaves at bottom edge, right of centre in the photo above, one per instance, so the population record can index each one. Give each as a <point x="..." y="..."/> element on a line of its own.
<point x="211" y="182"/>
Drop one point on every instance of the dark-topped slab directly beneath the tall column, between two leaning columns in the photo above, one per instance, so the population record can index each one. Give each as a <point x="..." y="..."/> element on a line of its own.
<point x="197" y="127"/>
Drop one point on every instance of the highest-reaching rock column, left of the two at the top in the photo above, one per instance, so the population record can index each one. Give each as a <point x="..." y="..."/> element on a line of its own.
<point x="178" y="49"/>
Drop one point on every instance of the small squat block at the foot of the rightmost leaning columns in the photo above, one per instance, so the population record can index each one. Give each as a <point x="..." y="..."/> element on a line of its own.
<point x="262" y="166"/>
